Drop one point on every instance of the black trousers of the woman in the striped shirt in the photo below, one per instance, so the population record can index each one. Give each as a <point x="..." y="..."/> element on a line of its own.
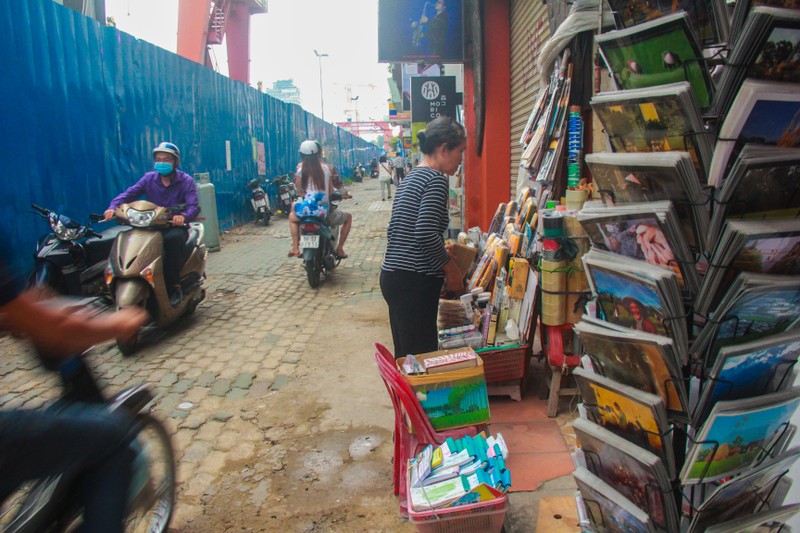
<point x="413" y="300"/>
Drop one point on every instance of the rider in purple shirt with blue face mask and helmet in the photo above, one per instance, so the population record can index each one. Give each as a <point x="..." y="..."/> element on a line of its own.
<point x="167" y="186"/>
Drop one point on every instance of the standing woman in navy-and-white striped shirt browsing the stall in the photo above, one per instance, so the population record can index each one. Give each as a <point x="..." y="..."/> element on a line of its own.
<point x="417" y="265"/>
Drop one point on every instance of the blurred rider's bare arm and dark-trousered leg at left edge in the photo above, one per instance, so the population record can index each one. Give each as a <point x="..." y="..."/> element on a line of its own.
<point x="35" y="443"/>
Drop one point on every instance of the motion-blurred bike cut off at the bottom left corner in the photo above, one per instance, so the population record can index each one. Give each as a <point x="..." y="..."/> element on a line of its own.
<point x="51" y="504"/>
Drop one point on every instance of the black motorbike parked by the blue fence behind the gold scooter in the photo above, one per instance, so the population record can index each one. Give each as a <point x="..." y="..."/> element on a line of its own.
<point x="71" y="259"/>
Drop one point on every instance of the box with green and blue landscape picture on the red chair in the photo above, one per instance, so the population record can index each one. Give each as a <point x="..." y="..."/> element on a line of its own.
<point x="452" y="399"/>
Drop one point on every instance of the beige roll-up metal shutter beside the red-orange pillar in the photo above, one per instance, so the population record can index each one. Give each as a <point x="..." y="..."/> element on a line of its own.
<point x="529" y="31"/>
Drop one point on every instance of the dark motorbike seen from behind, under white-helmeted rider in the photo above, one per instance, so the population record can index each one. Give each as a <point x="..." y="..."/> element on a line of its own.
<point x="318" y="246"/>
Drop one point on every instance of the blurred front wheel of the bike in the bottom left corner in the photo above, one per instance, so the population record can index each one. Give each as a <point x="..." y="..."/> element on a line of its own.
<point x="153" y="484"/>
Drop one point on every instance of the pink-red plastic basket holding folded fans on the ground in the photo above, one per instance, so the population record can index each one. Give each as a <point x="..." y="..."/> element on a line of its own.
<point x="481" y="517"/>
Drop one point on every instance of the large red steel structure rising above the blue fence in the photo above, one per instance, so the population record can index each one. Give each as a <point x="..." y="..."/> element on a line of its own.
<point x="202" y="23"/>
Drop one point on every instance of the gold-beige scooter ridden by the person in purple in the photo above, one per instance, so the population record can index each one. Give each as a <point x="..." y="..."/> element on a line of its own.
<point x="135" y="272"/>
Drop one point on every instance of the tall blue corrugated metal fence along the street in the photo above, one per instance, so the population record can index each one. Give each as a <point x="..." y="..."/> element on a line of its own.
<point x="82" y="105"/>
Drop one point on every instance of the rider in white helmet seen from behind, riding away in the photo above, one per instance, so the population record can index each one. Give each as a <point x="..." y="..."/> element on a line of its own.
<point x="314" y="175"/>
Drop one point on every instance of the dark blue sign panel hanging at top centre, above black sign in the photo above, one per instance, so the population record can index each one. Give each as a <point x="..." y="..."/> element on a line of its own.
<point x="418" y="30"/>
